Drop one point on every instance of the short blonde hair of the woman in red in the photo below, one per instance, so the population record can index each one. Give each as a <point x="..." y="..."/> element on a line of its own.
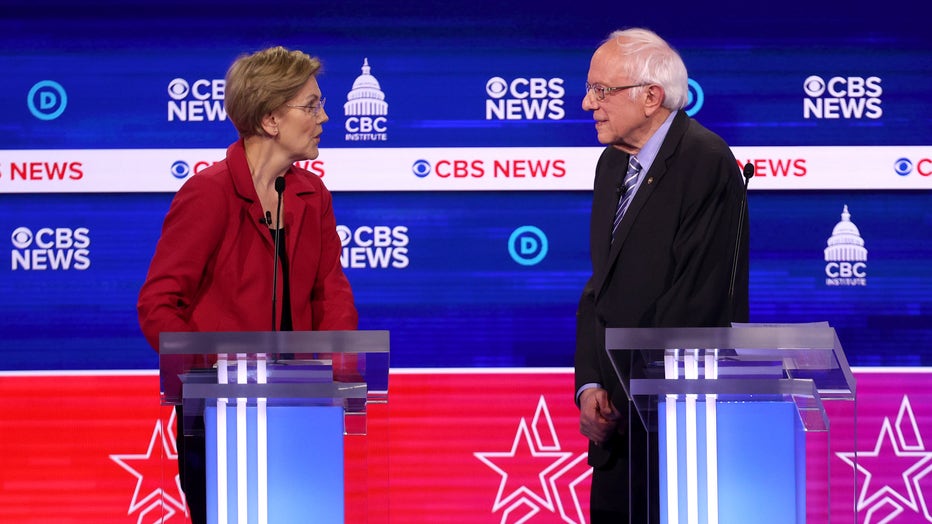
<point x="259" y="83"/>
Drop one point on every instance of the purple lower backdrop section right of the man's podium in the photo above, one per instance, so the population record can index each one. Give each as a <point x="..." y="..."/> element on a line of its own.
<point x="890" y="479"/>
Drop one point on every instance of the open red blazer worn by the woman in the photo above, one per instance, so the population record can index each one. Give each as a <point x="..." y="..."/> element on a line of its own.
<point x="212" y="268"/>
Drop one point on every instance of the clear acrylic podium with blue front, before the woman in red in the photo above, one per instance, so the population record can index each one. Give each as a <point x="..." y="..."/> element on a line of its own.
<point x="276" y="409"/>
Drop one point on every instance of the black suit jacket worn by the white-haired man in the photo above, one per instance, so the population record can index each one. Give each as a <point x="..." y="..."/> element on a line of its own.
<point x="670" y="264"/>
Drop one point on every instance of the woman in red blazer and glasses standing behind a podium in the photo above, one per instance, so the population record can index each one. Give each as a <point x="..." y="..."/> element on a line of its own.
<point x="212" y="268"/>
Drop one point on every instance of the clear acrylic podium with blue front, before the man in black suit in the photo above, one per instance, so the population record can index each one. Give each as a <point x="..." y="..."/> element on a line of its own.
<point x="732" y="407"/>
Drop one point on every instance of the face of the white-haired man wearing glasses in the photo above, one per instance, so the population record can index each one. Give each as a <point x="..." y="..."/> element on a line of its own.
<point x="618" y="117"/>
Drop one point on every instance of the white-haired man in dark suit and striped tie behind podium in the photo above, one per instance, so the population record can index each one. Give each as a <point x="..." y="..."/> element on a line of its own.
<point x="665" y="214"/>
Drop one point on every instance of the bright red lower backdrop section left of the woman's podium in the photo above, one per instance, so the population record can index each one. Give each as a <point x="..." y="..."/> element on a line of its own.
<point x="59" y="434"/>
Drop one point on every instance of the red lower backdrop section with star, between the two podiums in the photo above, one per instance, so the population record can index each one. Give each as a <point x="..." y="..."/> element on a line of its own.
<point x="486" y="447"/>
